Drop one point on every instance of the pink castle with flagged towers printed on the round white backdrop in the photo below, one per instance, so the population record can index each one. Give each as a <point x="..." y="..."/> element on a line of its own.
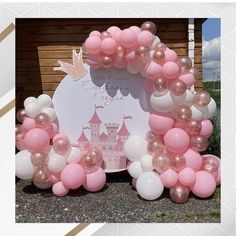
<point x="110" y="142"/>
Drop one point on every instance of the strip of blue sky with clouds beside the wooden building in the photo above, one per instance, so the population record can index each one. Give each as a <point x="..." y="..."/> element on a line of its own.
<point x="211" y="49"/>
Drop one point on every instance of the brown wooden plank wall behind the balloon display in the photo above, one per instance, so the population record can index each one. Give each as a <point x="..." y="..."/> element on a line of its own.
<point x="41" y="42"/>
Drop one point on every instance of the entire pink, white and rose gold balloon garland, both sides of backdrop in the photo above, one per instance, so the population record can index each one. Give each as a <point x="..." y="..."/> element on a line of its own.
<point x="169" y="154"/>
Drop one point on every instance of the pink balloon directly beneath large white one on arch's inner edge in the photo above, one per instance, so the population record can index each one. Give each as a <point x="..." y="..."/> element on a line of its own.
<point x="160" y="124"/>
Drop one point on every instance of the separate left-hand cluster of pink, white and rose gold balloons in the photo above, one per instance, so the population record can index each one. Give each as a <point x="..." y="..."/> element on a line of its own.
<point x="47" y="157"/>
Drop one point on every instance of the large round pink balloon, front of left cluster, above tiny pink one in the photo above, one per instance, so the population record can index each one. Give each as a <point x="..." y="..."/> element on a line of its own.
<point x="73" y="176"/>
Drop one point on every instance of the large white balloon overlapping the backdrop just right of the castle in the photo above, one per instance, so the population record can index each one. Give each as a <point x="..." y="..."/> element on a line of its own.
<point x="135" y="147"/>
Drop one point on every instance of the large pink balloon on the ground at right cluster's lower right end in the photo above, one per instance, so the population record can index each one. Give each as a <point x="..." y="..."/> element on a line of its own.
<point x="205" y="184"/>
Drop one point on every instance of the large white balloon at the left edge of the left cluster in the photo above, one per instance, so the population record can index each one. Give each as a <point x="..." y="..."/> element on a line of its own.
<point x="23" y="166"/>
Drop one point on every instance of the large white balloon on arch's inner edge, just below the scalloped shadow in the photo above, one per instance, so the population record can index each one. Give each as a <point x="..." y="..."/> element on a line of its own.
<point x="162" y="103"/>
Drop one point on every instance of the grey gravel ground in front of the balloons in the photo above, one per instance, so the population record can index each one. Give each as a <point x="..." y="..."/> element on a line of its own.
<point x="117" y="202"/>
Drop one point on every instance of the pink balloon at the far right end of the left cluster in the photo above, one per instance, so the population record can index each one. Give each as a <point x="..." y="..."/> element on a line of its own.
<point x="95" y="181"/>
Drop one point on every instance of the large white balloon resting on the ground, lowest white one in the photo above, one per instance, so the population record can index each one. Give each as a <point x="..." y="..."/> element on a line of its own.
<point x="149" y="185"/>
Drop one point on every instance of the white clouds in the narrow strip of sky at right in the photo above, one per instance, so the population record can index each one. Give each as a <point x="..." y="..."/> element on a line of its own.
<point x="211" y="59"/>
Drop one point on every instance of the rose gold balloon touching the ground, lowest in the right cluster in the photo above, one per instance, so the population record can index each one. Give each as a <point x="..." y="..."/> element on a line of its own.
<point x="179" y="193"/>
